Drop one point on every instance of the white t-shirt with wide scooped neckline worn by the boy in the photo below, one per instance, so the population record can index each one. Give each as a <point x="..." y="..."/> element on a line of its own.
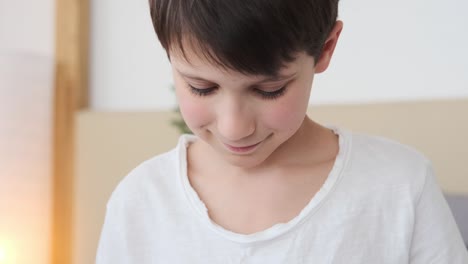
<point x="379" y="204"/>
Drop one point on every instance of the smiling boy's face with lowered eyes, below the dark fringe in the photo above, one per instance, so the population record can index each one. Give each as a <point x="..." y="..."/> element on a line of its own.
<point x="243" y="118"/>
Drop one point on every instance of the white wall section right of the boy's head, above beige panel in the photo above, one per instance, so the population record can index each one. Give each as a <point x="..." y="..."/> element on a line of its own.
<point x="398" y="50"/>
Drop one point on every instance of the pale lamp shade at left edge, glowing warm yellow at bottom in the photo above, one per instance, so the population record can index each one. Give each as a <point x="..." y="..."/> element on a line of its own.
<point x="26" y="92"/>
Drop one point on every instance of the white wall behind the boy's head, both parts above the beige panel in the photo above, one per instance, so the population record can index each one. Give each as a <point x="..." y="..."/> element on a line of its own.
<point x="389" y="51"/>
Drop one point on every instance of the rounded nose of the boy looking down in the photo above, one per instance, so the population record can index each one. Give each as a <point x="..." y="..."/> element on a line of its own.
<point x="235" y="121"/>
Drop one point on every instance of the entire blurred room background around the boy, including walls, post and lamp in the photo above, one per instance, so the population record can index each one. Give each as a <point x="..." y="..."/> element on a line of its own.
<point x="85" y="96"/>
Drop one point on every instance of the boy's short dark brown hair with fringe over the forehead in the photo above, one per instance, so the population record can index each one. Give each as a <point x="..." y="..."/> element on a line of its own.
<point x="249" y="36"/>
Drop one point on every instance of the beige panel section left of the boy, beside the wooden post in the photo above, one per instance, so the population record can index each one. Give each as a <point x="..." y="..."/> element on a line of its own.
<point x="109" y="145"/>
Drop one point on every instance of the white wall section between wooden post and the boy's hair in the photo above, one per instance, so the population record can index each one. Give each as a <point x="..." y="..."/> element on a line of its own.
<point x="129" y="69"/>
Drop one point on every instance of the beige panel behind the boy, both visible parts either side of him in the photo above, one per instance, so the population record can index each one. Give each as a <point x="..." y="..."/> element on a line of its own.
<point x="111" y="144"/>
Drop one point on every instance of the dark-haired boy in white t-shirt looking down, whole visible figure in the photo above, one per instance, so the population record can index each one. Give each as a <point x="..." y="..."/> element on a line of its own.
<point x="260" y="182"/>
